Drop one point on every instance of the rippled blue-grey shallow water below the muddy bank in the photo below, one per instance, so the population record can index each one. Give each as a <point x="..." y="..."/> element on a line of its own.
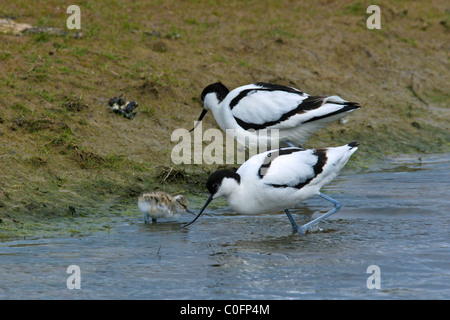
<point x="395" y="217"/>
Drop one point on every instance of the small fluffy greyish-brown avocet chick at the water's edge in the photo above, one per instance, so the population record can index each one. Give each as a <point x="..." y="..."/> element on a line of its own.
<point x="162" y="205"/>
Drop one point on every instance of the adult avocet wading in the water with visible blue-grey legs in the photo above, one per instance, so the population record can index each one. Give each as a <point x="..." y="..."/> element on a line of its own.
<point x="279" y="180"/>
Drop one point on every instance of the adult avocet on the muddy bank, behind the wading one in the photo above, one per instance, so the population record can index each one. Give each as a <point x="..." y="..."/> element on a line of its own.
<point x="251" y="109"/>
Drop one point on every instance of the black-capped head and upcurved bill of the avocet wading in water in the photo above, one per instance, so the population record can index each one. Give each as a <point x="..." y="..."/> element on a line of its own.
<point x="220" y="183"/>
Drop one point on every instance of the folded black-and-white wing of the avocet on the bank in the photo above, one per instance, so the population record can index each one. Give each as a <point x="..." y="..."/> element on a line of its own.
<point x="264" y="105"/>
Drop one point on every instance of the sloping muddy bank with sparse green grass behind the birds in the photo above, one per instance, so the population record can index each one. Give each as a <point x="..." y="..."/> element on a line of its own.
<point x="65" y="155"/>
